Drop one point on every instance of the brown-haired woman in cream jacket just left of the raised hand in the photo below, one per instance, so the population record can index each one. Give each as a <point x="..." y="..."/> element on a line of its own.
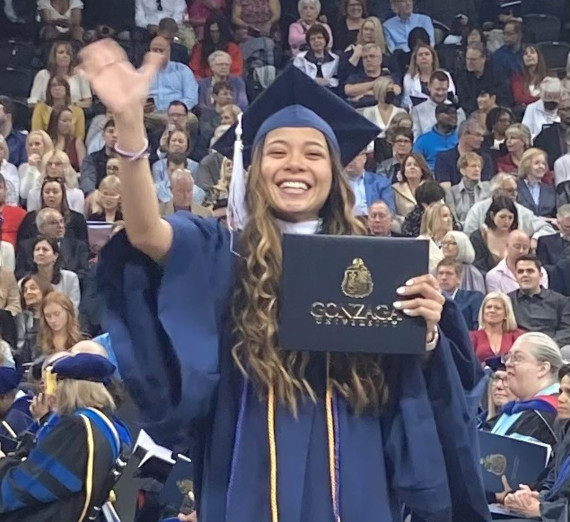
<point x="61" y="63"/>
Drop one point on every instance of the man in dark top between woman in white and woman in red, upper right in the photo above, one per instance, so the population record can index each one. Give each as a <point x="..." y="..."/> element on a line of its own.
<point x="477" y="77"/>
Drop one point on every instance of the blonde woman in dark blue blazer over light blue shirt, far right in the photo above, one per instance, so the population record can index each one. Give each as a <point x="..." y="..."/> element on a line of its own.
<point x="533" y="192"/>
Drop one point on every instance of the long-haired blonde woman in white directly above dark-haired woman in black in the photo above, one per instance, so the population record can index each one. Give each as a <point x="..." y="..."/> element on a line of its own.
<point x="55" y="165"/>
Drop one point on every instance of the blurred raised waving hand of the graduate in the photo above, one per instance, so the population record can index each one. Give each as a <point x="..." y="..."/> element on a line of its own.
<point x="116" y="82"/>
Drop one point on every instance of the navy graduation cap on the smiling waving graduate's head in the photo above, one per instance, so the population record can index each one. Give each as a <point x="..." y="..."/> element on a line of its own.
<point x="295" y="100"/>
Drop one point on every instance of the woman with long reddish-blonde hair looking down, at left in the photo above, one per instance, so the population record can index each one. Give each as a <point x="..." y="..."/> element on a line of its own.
<point x="59" y="326"/>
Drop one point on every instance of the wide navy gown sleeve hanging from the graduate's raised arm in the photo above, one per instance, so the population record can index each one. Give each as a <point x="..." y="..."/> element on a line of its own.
<point x="165" y="323"/>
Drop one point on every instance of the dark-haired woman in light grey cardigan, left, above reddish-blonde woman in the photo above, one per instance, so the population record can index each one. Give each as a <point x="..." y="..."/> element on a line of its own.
<point x="47" y="266"/>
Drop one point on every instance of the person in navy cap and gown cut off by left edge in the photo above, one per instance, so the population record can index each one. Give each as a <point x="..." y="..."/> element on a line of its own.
<point x="14" y="408"/>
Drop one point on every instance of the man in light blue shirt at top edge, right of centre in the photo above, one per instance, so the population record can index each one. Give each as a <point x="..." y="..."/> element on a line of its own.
<point x="398" y="28"/>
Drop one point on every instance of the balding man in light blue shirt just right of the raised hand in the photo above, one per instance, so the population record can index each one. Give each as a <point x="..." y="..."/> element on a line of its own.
<point x="174" y="81"/>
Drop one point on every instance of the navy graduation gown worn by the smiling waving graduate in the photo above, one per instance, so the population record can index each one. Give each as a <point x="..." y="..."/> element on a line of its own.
<point x="171" y="331"/>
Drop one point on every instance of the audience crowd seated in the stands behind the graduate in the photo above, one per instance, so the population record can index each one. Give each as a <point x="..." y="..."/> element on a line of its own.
<point x="473" y="156"/>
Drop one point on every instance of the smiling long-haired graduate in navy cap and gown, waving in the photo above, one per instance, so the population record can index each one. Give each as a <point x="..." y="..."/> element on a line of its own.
<point x="255" y="416"/>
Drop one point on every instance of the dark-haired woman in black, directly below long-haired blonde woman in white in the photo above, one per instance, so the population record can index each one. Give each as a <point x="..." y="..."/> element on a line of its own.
<point x="54" y="195"/>
